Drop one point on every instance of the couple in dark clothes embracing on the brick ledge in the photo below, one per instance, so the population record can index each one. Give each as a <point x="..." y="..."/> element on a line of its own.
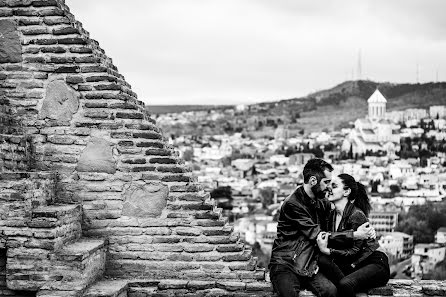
<point x="324" y="242"/>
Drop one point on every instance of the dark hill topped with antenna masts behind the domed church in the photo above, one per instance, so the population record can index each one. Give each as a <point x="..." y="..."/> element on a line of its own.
<point x="335" y="107"/>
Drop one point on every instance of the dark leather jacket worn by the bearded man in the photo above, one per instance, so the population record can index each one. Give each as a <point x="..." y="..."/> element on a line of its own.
<point x="301" y="218"/>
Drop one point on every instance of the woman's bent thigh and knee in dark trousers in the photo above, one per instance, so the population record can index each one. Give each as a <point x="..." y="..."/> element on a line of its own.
<point x="366" y="277"/>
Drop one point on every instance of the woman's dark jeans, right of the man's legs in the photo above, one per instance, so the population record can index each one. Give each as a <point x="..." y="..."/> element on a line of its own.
<point x="371" y="273"/>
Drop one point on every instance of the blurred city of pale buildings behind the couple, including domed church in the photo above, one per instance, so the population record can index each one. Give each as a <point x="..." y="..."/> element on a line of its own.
<point x="399" y="155"/>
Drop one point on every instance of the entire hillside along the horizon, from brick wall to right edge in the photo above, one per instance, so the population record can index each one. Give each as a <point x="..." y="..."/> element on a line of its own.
<point x="329" y="109"/>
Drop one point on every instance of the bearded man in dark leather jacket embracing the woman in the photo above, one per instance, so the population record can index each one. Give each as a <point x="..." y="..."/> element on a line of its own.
<point x="302" y="218"/>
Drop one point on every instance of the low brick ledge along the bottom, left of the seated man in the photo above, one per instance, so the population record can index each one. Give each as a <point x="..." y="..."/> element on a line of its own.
<point x="175" y="287"/>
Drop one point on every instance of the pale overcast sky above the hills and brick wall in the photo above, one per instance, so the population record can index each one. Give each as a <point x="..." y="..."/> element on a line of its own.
<point x="246" y="51"/>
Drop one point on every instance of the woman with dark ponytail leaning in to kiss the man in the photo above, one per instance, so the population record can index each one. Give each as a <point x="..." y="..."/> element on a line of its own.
<point x="363" y="264"/>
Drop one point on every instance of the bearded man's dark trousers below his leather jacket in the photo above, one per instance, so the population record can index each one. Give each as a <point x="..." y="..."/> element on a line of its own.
<point x="287" y="284"/>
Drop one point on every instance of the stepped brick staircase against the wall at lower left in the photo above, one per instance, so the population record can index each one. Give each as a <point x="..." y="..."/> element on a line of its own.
<point x="45" y="248"/>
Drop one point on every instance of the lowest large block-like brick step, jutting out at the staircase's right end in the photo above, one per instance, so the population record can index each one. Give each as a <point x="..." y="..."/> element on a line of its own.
<point x="77" y="265"/>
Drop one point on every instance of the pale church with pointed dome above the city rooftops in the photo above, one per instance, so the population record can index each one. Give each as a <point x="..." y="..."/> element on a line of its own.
<point x="374" y="133"/>
